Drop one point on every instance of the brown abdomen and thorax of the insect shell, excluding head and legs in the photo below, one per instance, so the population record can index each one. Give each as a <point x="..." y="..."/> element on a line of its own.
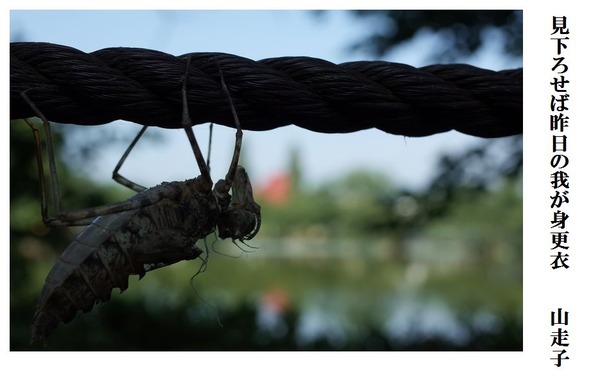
<point x="171" y="218"/>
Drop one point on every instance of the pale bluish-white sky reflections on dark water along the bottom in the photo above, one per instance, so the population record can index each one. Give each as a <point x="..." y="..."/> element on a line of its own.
<point x="411" y="319"/>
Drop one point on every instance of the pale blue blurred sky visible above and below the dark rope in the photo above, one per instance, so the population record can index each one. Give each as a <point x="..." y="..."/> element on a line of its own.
<point x="408" y="162"/>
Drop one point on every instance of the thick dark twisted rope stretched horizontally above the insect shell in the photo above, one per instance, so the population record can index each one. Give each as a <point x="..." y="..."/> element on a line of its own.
<point x="144" y="86"/>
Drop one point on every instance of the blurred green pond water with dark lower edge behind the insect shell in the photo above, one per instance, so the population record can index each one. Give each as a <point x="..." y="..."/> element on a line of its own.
<point x="335" y="303"/>
